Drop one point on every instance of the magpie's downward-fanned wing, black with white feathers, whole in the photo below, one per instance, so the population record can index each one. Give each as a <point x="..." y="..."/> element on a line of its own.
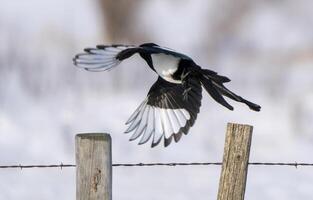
<point x="165" y="113"/>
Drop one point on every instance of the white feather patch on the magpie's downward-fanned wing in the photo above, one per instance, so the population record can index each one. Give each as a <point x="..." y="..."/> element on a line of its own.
<point x="153" y="122"/>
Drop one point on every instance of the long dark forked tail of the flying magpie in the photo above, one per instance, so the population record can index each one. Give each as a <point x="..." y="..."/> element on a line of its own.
<point x="213" y="84"/>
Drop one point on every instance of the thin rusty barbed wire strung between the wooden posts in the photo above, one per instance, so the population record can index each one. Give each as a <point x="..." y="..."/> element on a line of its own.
<point x="171" y="164"/>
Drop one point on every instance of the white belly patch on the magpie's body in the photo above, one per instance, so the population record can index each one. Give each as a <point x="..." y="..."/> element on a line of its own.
<point x="165" y="66"/>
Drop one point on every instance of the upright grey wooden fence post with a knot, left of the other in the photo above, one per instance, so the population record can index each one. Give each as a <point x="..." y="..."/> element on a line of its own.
<point x="93" y="166"/>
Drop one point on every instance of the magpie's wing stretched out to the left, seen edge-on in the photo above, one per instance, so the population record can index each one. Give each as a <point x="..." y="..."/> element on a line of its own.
<point x="104" y="57"/>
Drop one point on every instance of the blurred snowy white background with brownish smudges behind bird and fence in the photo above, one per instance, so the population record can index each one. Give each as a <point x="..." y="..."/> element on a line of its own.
<point x="265" y="47"/>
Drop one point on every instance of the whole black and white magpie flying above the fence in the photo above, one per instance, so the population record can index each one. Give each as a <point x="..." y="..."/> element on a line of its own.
<point x="173" y="101"/>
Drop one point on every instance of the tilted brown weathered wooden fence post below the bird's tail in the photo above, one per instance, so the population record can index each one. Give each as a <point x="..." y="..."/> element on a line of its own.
<point x="235" y="162"/>
